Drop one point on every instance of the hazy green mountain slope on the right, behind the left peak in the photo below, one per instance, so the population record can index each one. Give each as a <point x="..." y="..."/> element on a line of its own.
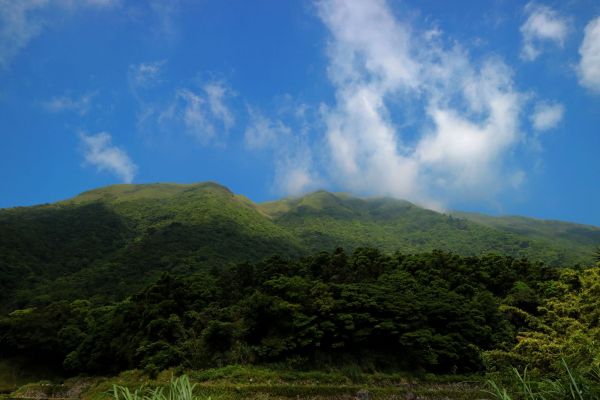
<point x="324" y="219"/>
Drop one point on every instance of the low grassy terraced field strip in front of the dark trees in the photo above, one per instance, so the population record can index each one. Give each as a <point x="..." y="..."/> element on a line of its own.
<point x="242" y="382"/>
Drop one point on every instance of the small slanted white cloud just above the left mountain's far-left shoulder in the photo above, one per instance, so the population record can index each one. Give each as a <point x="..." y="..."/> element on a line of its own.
<point x="102" y="154"/>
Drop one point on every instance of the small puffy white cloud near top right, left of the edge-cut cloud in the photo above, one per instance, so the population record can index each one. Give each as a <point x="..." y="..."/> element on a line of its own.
<point x="543" y="25"/>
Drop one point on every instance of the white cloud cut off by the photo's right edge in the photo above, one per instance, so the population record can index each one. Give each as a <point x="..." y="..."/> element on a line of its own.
<point x="589" y="66"/>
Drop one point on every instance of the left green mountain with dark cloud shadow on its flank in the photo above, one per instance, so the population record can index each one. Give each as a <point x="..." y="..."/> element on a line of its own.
<point x="112" y="241"/>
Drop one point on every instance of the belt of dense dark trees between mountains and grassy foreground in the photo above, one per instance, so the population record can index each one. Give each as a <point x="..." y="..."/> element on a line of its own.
<point x="437" y="312"/>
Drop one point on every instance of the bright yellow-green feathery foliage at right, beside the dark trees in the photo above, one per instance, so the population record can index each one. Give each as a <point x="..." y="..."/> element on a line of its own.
<point x="566" y="324"/>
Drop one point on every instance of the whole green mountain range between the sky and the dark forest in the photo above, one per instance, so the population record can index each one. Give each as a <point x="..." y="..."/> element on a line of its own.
<point x="112" y="241"/>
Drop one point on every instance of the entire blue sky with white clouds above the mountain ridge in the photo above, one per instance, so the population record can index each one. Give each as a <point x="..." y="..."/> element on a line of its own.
<point x="490" y="106"/>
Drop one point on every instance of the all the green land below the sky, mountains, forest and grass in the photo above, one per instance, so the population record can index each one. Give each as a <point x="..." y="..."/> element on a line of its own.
<point x="176" y="278"/>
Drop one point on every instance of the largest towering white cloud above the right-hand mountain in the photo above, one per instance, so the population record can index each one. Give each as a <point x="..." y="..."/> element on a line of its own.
<point x="471" y="111"/>
